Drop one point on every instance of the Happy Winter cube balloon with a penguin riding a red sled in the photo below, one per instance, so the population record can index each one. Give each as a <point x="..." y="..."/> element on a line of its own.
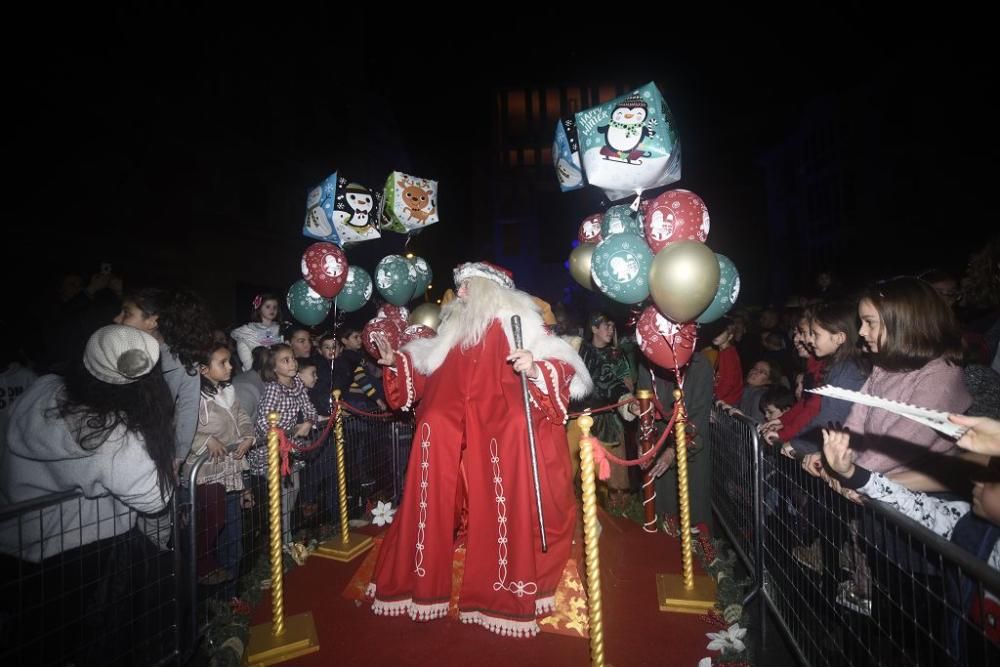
<point x="630" y="144"/>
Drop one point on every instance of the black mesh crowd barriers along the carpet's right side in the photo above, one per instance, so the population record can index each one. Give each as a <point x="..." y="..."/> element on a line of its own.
<point x="848" y="583"/>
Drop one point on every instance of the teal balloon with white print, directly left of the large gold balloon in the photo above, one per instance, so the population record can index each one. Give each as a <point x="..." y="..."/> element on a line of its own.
<point x="619" y="267"/>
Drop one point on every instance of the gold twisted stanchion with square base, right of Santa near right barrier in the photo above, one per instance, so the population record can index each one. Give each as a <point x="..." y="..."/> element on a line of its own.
<point x="684" y="593"/>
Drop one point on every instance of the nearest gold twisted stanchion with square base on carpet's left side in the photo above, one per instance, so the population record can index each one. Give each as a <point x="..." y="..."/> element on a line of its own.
<point x="282" y="639"/>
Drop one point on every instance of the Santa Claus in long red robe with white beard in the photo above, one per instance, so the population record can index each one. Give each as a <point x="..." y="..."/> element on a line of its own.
<point x="471" y="445"/>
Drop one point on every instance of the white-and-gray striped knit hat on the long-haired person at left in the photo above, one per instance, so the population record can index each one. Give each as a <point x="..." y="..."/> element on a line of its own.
<point x="119" y="354"/>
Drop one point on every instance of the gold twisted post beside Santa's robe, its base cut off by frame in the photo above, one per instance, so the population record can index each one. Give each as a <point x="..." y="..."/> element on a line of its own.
<point x="591" y="546"/>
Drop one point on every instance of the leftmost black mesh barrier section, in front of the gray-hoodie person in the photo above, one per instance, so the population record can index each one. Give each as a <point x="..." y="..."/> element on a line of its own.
<point x="101" y="592"/>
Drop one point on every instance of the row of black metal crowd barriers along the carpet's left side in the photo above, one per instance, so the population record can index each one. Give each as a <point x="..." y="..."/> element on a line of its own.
<point x="136" y="596"/>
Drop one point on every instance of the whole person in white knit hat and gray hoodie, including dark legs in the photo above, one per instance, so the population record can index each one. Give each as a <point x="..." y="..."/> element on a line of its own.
<point x="80" y="571"/>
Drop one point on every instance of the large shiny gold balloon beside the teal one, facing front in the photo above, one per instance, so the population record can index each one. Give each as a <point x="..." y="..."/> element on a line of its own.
<point x="683" y="279"/>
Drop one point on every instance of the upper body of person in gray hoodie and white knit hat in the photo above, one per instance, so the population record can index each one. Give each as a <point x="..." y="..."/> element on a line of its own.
<point x="105" y="431"/>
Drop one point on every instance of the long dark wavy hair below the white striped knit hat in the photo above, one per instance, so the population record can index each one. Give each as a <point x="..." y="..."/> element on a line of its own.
<point x="144" y="407"/>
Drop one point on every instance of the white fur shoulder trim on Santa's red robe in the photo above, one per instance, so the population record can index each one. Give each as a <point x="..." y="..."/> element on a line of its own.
<point x="428" y="354"/>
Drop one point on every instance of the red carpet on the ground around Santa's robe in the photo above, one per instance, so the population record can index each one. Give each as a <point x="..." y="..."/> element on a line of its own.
<point x="636" y="632"/>
